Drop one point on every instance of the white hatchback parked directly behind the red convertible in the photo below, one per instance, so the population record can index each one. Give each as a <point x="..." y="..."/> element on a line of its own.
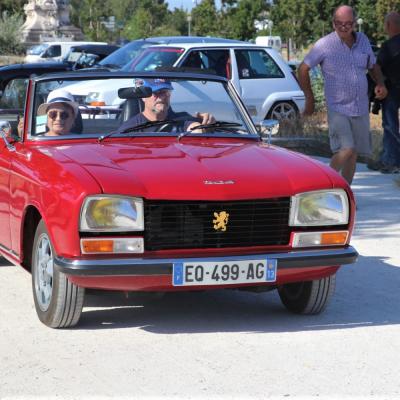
<point x="262" y="78"/>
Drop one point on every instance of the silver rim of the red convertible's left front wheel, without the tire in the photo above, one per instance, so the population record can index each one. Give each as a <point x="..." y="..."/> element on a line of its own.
<point x="44" y="273"/>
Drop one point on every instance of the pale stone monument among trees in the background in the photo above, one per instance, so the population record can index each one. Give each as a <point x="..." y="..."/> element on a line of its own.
<point x="48" y="20"/>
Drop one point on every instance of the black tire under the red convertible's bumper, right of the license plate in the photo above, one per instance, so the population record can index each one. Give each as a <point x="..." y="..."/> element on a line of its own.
<point x="309" y="297"/>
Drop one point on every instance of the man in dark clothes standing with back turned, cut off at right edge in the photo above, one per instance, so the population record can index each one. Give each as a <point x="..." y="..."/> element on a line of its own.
<point x="389" y="61"/>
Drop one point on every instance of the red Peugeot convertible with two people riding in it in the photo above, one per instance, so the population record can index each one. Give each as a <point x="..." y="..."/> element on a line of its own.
<point x="176" y="190"/>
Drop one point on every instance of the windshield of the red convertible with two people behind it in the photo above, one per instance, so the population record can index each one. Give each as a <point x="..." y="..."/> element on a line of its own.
<point x="135" y="106"/>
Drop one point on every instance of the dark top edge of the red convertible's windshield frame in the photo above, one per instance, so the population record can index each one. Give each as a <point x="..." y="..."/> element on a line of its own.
<point x="173" y="73"/>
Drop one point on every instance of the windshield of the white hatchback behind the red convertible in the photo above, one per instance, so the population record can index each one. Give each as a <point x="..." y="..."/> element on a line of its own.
<point x="153" y="58"/>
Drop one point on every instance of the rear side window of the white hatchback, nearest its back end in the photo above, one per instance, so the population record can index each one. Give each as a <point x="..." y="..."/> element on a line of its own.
<point x="256" y="64"/>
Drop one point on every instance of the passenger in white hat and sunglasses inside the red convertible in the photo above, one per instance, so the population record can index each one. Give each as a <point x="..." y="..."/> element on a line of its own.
<point x="61" y="111"/>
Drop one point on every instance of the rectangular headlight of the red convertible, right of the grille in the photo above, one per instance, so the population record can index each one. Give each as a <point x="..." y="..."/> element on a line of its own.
<point x="324" y="207"/>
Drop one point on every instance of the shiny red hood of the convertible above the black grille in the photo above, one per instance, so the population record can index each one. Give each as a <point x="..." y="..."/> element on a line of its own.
<point x="199" y="169"/>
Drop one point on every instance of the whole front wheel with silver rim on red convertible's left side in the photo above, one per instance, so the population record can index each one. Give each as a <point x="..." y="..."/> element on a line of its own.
<point x="58" y="302"/>
